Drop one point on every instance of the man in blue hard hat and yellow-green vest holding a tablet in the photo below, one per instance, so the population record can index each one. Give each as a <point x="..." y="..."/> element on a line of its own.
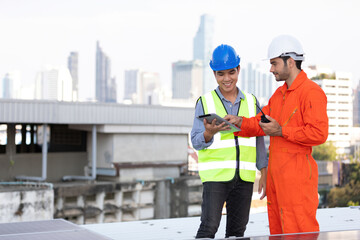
<point x="227" y="164"/>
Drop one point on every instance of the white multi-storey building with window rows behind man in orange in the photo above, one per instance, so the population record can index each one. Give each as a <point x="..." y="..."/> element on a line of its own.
<point x="337" y="87"/>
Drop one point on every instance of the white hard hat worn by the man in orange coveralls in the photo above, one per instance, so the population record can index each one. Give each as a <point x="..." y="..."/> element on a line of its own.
<point x="286" y="45"/>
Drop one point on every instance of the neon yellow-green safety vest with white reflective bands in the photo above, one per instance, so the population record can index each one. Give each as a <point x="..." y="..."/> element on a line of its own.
<point x="217" y="163"/>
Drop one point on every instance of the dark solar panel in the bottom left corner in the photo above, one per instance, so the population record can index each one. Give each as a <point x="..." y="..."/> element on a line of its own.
<point x="57" y="229"/>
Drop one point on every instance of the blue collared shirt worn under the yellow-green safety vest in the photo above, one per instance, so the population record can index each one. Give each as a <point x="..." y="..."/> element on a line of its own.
<point x="197" y="132"/>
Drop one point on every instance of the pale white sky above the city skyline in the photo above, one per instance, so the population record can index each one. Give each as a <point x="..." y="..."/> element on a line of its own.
<point x="152" y="34"/>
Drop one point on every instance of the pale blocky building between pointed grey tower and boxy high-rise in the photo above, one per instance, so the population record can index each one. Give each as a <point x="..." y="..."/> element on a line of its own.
<point x="142" y="87"/>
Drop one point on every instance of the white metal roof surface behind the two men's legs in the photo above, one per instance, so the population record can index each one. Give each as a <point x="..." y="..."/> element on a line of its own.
<point x="330" y="219"/>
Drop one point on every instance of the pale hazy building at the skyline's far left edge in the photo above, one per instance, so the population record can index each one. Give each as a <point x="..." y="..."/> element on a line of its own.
<point x="11" y="85"/>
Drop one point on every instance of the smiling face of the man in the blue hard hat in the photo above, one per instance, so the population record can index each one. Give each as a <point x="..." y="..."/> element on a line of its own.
<point x="227" y="79"/>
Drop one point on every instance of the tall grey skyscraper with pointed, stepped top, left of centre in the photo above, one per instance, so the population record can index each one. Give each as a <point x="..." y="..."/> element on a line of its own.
<point x="105" y="85"/>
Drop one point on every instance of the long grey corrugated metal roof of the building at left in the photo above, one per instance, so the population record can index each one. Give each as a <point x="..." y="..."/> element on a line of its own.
<point x="55" y="112"/>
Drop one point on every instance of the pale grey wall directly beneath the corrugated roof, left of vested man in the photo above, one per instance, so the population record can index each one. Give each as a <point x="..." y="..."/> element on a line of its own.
<point x="138" y="148"/>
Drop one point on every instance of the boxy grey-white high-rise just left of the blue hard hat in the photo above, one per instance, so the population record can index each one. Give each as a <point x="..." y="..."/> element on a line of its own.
<point x="187" y="79"/>
